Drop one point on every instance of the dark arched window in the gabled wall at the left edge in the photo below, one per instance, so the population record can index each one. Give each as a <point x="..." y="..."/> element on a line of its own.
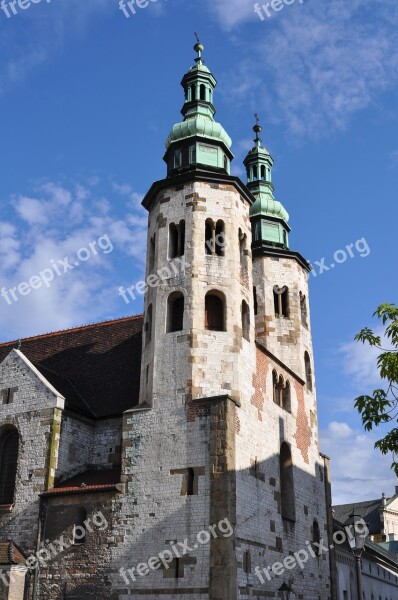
<point x="9" y="443"/>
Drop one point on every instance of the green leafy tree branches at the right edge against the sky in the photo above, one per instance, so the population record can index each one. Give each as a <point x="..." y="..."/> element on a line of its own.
<point x="382" y="406"/>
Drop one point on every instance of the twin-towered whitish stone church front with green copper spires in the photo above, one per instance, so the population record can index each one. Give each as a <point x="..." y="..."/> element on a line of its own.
<point x="222" y="450"/>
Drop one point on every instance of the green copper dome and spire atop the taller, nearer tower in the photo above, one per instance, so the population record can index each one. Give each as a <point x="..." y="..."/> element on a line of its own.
<point x="198" y="140"/>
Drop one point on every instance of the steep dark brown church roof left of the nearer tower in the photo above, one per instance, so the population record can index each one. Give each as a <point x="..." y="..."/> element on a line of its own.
<point x="95" y="367"/>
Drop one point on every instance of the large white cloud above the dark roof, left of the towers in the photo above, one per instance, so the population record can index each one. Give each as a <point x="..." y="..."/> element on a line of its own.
<point x="55" y="222"/>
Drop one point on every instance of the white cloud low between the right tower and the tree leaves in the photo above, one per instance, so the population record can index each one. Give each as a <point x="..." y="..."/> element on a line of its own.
<point x="359" y="472"/>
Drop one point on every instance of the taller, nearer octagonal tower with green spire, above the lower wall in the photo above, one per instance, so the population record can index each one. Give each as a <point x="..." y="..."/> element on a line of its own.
<point x="199" y="317"/>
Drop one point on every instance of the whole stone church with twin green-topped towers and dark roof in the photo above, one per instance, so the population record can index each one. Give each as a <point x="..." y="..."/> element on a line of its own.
<point x="175" y="453"/>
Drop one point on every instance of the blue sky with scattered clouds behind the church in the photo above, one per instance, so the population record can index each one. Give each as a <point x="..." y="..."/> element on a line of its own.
<point x="88" y="98"/>
